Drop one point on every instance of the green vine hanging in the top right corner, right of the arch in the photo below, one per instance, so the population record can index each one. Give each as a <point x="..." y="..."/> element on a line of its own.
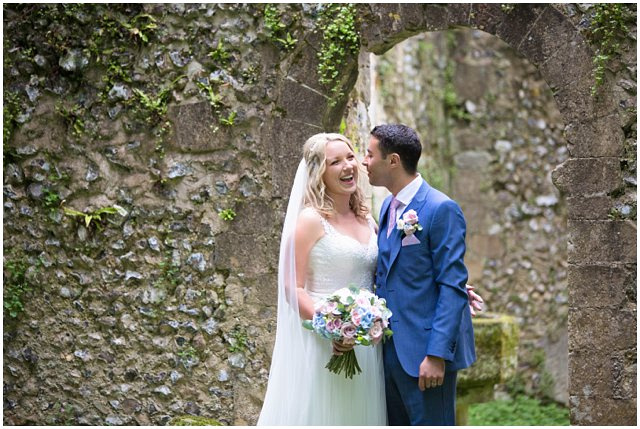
<point x="608" y="29"/>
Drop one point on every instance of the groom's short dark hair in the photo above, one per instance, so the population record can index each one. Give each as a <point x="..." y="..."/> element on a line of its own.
<point x="400" y="139"/>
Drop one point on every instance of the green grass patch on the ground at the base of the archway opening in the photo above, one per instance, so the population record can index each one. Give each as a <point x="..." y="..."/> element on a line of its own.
<point x="520" y="411"/>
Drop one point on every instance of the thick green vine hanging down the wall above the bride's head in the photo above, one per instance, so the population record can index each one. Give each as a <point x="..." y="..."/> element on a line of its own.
<point x="340" y="39"/>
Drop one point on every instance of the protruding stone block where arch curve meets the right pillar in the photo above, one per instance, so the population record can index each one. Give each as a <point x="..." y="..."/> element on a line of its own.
<point x="580" y="176"/>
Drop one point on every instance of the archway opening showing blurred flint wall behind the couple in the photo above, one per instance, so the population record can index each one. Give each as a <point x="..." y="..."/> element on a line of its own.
<point x="492" y="134"/>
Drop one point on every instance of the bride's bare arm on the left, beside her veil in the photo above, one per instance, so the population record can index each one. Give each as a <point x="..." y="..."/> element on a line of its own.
<point x="308" y="230"/>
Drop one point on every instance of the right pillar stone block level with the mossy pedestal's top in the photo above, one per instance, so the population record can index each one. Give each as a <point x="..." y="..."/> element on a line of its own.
<point x="601" y="329"/>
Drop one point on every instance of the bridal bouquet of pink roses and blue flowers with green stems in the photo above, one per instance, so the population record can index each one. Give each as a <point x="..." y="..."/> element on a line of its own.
<point x="351" y="316"/>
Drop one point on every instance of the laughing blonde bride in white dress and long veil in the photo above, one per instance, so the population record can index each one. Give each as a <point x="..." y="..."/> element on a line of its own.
<point x="328" y="242"/>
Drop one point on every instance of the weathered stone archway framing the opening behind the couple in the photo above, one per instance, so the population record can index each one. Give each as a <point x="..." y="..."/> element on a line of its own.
<point x="601" y="251"/>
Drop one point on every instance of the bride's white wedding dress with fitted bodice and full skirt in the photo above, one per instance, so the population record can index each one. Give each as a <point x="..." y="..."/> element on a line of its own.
<point x="325" y="398"/>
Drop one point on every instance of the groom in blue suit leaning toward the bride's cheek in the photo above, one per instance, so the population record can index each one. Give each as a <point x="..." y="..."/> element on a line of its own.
<point x="422" y="276"/>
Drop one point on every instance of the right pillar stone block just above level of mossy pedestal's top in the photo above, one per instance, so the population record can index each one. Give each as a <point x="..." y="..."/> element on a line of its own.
<point x="602" y="286"/>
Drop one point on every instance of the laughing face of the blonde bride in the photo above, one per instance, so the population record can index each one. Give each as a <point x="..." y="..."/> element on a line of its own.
<point x="341" y="172"/>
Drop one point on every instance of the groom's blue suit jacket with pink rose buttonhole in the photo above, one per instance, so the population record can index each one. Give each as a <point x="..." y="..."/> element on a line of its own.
<point x="424" y="284"/>
